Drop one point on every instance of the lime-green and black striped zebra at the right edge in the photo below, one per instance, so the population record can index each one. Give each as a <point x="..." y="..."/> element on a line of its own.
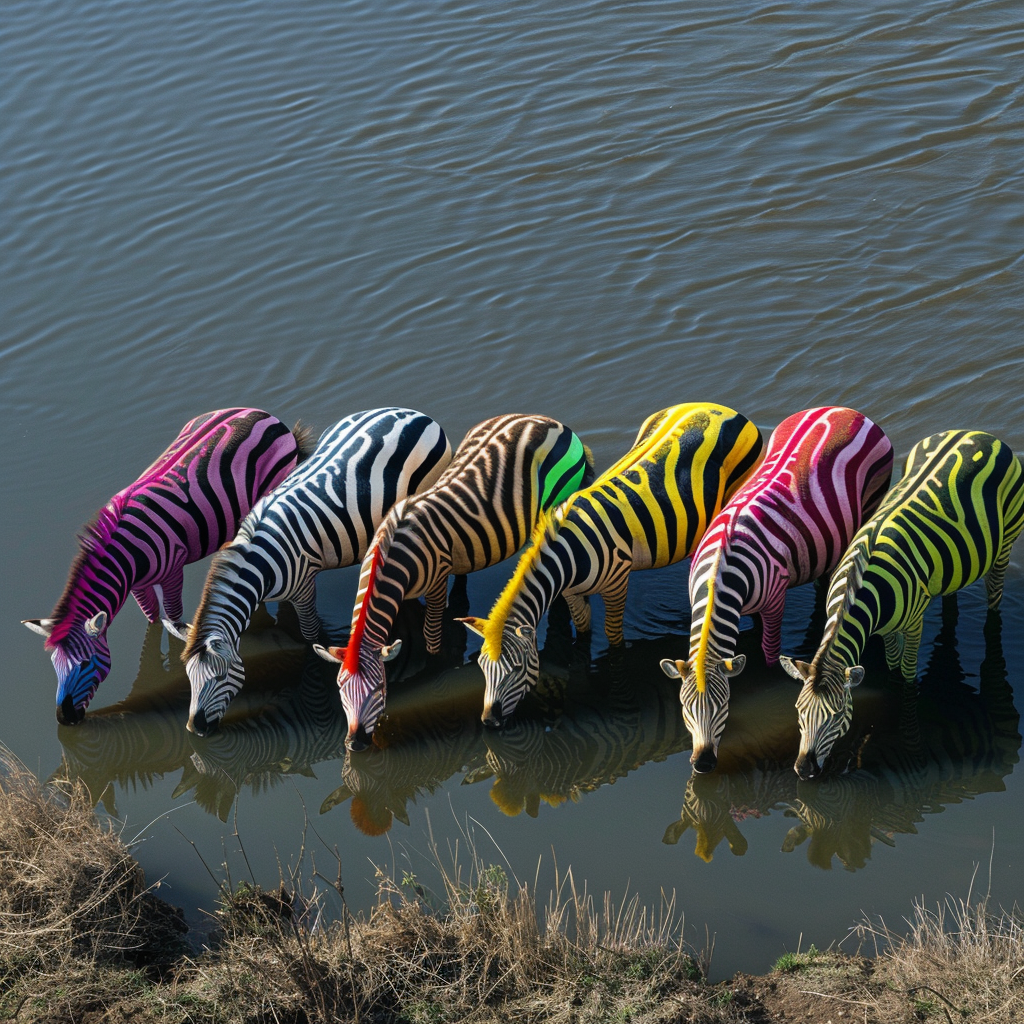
<point x="952" y="520"/>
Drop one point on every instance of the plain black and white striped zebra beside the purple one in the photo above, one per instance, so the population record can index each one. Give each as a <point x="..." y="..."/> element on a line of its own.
<point x="322" y="519"/>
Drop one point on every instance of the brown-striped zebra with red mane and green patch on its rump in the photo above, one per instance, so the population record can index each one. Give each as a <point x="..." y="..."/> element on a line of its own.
<point x="507" y="472"/>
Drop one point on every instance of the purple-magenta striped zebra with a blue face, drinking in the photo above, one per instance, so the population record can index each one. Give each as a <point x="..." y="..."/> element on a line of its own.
<point x="184" y="507"/>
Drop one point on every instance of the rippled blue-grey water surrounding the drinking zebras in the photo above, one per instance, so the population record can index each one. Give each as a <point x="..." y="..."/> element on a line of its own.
<point x="592" y="212"/>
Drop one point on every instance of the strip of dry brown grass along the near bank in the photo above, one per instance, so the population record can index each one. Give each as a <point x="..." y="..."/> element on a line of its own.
<point x="82" y="940"/>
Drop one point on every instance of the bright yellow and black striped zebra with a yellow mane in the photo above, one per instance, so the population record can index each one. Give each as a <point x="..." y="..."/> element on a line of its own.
<point x="648" y="511"/>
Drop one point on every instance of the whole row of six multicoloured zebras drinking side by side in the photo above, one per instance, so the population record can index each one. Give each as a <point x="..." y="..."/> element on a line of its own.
<point x="385" y="488"/>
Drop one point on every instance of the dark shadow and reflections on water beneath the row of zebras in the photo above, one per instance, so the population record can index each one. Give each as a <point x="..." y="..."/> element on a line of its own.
<point x="911" y="752"/>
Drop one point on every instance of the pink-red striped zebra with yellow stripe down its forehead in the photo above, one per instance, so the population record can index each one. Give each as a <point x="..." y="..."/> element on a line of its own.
<point x="826" y="471"/>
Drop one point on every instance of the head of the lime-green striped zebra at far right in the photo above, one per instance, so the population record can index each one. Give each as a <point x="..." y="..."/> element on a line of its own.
<point x="825" y="709"/>
